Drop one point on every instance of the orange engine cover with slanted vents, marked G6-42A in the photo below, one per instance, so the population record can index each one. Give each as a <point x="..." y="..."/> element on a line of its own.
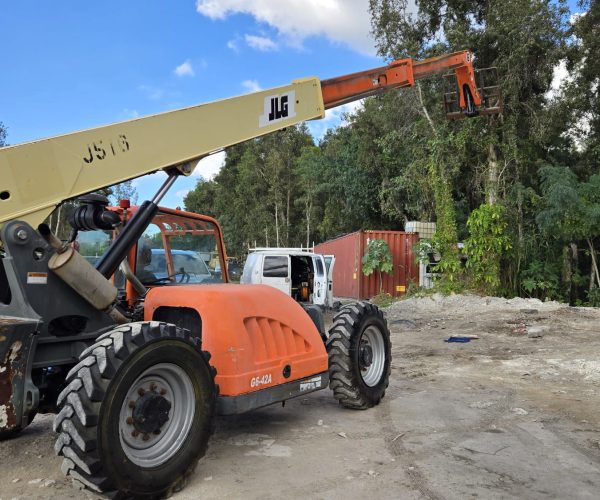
<point x="252" y="332"/>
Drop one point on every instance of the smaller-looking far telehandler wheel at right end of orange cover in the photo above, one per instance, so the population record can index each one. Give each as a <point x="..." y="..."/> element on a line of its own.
<point x="360" y="355"/>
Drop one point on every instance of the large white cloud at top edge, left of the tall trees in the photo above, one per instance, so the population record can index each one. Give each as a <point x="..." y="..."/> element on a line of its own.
<point x="341" y="21"/>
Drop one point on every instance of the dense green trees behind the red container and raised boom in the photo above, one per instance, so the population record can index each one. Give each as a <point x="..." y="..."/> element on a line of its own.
<point x="398" y="158"/>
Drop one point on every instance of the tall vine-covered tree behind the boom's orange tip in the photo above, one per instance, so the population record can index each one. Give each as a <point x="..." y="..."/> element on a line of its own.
<point x="478" y="161"/>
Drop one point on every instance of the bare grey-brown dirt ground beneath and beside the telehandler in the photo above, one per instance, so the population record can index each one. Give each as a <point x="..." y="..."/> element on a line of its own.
<point x="514" y="413"/>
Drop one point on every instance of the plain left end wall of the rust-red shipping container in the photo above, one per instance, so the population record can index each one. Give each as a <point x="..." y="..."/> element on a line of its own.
<point x="347" y="268"/>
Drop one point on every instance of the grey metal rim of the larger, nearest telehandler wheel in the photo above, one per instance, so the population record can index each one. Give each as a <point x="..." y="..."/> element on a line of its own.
<point x="152" y="444"/>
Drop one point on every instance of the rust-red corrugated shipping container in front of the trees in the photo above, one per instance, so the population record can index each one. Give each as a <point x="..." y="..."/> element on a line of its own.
<point x="348" y="279"/>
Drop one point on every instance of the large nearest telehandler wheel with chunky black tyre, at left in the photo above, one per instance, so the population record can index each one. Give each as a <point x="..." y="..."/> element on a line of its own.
<point x="137" y="412"/>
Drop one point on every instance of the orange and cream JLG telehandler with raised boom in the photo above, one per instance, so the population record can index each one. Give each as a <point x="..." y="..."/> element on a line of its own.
<point x="127" y="330"/>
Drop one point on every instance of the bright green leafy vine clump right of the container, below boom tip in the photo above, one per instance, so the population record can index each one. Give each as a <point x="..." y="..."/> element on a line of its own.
<point x="486" y="245"/>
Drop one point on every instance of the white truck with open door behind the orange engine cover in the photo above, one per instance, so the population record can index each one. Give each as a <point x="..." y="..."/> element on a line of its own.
<point x="303" y="275"/>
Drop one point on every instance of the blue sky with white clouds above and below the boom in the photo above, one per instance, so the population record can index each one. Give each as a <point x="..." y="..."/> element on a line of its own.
<point x="70" y="65"/>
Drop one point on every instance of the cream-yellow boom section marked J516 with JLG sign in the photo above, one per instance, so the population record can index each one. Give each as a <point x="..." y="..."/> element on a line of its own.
<point x="35" y="177"/>
